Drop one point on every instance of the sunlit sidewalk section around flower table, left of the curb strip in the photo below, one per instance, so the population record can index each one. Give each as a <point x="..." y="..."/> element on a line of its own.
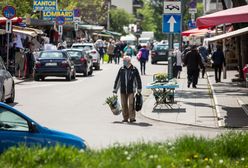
<point x="193" y="106"/>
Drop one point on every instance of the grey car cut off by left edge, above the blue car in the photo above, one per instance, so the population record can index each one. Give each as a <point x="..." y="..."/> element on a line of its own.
<point x="7" y="84"/>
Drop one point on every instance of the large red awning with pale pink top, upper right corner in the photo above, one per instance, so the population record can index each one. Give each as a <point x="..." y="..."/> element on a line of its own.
<point x="233" y="15"/>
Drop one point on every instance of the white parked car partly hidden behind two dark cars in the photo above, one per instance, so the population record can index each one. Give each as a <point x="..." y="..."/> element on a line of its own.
<point x="91" y="50"/>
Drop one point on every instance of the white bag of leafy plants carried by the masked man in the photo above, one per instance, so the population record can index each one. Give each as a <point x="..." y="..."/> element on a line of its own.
<point x="114" y="104"/>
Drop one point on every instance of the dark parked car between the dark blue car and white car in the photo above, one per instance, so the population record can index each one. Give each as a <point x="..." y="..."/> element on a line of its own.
<point x="82" y="61"/>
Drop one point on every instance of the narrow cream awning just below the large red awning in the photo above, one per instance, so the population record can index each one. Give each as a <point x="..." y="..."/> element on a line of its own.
<point x="228" y="35"/>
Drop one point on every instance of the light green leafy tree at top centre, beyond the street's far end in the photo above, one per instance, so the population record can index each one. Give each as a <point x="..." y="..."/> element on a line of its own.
<point x="120" y="18"/>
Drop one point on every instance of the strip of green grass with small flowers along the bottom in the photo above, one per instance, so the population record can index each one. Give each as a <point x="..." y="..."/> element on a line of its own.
<point x="226" y="150"/>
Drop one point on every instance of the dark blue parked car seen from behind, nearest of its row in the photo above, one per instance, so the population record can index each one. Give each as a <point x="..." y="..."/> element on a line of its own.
<point x="54" y="63"/>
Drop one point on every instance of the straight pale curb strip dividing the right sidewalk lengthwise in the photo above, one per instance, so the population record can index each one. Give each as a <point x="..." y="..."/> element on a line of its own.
<point x="216" y="104"/>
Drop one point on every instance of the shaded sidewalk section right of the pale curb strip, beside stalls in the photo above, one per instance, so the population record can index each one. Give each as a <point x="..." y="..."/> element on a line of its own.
<point x="231" y="99"/>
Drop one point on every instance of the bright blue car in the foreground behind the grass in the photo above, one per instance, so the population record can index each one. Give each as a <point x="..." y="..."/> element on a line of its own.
<point x="18" y="129"/>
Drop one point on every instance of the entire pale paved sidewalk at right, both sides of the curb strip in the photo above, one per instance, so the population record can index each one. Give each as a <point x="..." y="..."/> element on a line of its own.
<point x="210" y="105"/>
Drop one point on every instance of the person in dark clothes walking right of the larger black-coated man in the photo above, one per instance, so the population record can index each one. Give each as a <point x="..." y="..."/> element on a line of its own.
<point x="218" y="62"/>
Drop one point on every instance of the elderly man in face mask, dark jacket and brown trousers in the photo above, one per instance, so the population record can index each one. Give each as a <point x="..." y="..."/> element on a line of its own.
<point x="129" y="81"/>
